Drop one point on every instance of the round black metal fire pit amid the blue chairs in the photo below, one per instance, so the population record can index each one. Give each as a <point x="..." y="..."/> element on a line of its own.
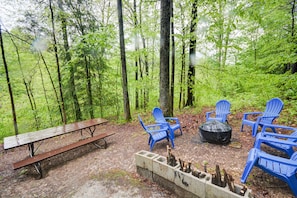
<point x="215" y="132"/>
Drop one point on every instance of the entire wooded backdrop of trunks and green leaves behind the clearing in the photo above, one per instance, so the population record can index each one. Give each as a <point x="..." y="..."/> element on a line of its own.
<point x="61" y="60"/>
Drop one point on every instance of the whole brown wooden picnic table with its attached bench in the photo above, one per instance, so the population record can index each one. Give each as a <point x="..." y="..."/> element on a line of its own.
<point x="37" y="136"/>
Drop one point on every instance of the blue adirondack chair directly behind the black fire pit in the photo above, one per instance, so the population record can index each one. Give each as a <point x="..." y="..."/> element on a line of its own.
<point x="221" y="112"/>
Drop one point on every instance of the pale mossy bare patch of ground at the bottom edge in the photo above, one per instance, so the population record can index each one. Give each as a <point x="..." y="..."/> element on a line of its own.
<point x="119" y="183"/>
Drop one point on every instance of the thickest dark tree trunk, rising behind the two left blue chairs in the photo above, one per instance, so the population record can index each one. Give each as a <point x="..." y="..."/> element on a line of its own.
<point x="164" y="57"/>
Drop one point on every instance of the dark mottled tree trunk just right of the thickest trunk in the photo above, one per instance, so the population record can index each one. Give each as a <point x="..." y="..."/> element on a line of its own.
<point x="191" y="71"/>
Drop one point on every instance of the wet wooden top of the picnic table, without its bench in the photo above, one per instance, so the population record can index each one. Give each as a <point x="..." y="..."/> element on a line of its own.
<point x="35" y="136"/>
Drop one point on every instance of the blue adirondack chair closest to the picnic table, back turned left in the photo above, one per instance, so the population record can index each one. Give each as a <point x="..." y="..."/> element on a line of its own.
<point x="157" y="132"/>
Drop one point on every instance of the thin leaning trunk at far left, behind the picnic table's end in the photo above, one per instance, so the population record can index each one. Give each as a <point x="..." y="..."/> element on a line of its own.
<point x="15" y="124"/>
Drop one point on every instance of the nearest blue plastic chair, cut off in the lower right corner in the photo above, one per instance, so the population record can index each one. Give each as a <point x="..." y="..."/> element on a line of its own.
<point x="282" y="168"/>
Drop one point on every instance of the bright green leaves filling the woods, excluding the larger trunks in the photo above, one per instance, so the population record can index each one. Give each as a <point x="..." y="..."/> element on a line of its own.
<point x="245" y="47"/>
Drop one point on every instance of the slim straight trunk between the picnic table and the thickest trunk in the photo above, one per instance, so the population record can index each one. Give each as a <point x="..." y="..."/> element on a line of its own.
<point x="123" y="60"/>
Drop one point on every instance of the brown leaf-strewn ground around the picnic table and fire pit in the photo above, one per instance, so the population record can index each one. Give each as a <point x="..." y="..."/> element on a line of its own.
<point x="91" y="172"/>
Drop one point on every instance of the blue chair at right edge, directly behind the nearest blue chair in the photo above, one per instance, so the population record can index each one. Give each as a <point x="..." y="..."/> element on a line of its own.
<point x="282" y="142"/>
